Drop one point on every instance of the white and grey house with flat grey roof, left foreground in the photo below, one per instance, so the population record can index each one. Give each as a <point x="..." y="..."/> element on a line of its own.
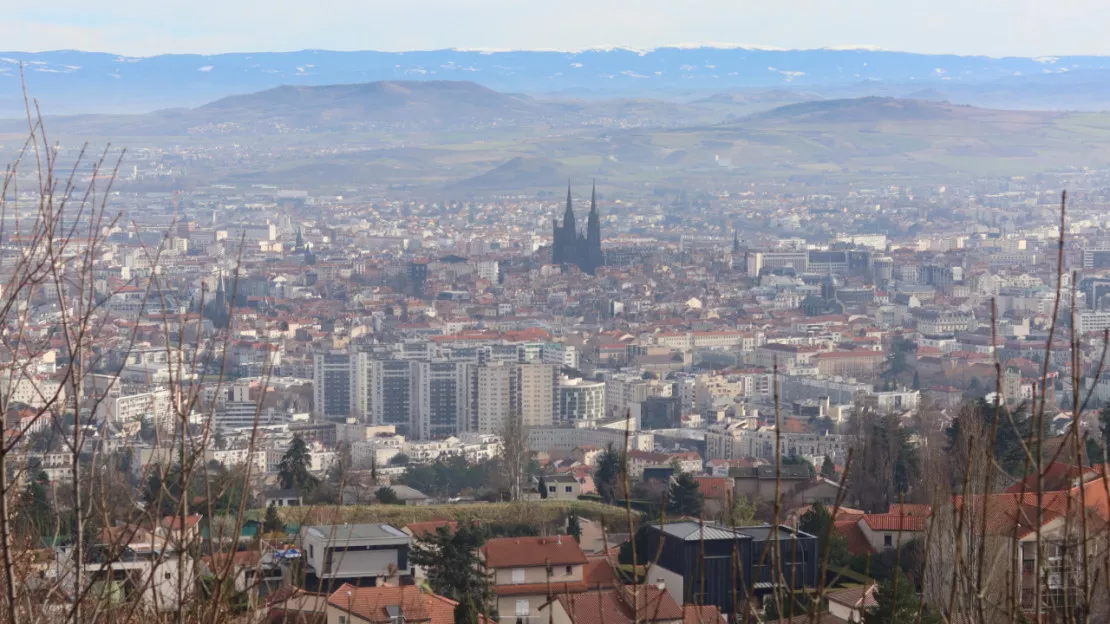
<point x="358" y="555"/>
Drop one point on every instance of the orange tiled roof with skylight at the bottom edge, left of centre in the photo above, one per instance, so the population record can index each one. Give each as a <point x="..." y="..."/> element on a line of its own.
<point x="389" y="605"/>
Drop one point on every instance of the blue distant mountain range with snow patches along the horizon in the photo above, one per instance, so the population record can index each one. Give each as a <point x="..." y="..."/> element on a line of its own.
<point x="72" y="83"/>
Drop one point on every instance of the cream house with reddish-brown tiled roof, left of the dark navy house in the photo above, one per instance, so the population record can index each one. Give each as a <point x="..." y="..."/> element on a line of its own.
<point x="526" y="571"/>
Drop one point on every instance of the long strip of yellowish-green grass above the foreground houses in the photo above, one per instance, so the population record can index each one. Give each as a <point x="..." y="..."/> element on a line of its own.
<point x="539" y="512"/>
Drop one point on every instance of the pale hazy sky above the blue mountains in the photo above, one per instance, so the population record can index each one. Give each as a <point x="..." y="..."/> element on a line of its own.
<point x="153" y="27"/>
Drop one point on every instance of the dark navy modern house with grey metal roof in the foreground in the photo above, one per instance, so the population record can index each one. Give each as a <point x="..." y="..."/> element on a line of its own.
<point x="702" y="563"/>
